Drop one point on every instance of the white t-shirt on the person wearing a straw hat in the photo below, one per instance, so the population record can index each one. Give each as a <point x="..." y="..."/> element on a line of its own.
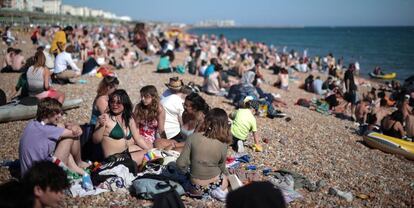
<point x="173" y="106"/>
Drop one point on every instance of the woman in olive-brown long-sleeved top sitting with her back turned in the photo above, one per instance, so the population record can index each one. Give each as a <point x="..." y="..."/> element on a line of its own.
<point x="205" y="153"/>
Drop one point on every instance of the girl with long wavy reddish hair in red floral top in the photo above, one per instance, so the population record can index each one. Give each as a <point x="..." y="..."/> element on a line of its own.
<point x="149" y="115"/>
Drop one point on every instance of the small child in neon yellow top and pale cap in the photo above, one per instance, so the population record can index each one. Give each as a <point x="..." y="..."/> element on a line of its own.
<point x="244" y="122"/>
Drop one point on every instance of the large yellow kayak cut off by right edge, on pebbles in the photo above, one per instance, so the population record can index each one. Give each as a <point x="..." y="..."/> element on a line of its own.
<point x="390" y="144"/>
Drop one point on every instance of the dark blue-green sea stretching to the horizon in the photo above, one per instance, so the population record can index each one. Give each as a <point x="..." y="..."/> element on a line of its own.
<point x="391" y="48"/>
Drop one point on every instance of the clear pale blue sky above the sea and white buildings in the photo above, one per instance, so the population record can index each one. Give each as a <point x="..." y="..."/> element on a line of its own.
<point x="264" y="12"/>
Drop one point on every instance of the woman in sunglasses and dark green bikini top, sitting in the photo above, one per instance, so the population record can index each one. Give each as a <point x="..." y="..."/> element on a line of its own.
<point x="117" y="131"/>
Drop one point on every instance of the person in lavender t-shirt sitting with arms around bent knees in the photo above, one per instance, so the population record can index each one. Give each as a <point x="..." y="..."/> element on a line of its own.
<point x="45" y="138"/>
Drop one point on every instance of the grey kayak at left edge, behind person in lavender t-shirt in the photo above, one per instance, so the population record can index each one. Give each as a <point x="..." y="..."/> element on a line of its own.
<point x="14" y="112"/>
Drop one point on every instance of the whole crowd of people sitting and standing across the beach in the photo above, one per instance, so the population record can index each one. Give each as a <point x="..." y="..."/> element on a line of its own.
<point x="178" y="118"/>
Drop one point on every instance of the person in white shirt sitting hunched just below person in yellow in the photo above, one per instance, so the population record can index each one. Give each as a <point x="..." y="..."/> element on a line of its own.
<point x="62" y="61"/>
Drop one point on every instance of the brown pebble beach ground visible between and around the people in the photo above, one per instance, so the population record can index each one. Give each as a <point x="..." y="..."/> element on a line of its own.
<point x="319" y="147"/>
